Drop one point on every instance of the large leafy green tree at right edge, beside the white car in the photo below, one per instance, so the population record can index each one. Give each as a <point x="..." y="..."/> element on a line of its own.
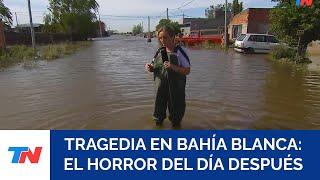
<point x="287" y="18"/>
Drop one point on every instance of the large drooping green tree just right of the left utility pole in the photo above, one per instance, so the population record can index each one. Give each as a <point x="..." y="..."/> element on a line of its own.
<point x="72" y="17"/>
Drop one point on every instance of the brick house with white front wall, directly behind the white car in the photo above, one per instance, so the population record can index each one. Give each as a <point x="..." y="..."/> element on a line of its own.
<point x="252" y="20"/>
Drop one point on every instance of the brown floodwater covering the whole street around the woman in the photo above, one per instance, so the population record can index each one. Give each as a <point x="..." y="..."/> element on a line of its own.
<point x="106" y="87"/>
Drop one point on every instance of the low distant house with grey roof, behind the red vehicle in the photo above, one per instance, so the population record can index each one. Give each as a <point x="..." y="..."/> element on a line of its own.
<point x="204" y="26"/>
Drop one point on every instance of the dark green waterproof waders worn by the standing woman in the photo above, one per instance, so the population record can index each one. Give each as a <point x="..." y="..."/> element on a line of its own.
<point x="170" y="90"/>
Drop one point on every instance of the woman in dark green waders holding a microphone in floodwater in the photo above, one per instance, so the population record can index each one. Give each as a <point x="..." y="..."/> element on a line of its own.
<point x="170" y="67"/>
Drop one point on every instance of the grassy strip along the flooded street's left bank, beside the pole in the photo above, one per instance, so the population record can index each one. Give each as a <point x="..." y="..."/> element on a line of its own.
<point x="24" y="54"/>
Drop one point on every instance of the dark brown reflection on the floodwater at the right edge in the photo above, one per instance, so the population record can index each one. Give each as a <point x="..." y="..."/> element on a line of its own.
<point x="291" y="99"/>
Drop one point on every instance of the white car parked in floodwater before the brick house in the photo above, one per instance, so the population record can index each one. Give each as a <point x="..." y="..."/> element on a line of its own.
<point x="255" y="43"/>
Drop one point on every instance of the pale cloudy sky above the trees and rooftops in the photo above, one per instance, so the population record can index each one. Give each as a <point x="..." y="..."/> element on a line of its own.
<point x="122" y="15"/>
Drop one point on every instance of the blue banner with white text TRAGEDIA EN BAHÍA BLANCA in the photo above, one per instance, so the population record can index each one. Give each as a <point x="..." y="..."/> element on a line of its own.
<point x="185" y="154"/>
